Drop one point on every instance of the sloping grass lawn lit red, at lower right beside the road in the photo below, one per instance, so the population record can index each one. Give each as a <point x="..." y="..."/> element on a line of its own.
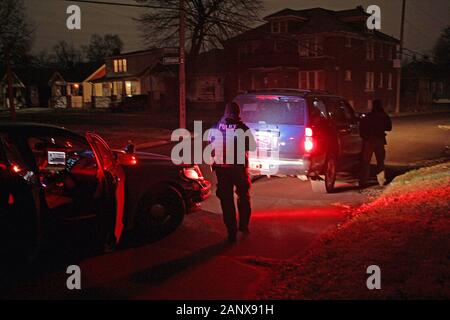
<point x="406" y="232"/>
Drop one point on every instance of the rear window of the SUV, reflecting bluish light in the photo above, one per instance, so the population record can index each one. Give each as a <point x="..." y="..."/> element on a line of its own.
<point x="272" y="109"/>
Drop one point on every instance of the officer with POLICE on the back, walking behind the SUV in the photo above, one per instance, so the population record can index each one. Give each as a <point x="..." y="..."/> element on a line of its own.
<point x="233" y="177"/>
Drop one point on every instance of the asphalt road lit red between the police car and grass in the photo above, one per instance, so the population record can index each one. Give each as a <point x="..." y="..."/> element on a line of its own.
<point x="196" y="263"/>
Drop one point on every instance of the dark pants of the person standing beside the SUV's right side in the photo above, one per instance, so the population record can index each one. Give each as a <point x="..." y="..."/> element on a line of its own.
<point x="370" y="147"/>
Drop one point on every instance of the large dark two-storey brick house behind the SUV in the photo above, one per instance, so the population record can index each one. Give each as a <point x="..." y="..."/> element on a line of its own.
<point x="315" y="49"/>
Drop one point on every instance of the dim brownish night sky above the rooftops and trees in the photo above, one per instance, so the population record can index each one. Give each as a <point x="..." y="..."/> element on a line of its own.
<point x="425" y="20"/>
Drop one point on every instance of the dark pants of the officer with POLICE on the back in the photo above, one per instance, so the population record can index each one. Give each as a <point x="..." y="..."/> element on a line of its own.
<point x="229" y="178"/>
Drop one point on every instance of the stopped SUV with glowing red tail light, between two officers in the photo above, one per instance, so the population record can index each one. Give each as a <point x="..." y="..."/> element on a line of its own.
<point x="308" y="134"/>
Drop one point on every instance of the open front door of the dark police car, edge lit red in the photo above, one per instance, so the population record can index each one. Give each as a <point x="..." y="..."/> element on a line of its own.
<point x="112" y="177"/>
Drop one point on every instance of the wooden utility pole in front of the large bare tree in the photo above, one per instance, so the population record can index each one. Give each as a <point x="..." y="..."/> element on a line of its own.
<point x="182" y="68"/>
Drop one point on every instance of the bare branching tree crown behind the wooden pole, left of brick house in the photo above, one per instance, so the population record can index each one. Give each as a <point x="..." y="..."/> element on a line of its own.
<point x="209" y="22"/>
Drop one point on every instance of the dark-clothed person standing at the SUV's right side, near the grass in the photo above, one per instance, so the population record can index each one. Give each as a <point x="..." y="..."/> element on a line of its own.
<point x="373" y="131"/>
